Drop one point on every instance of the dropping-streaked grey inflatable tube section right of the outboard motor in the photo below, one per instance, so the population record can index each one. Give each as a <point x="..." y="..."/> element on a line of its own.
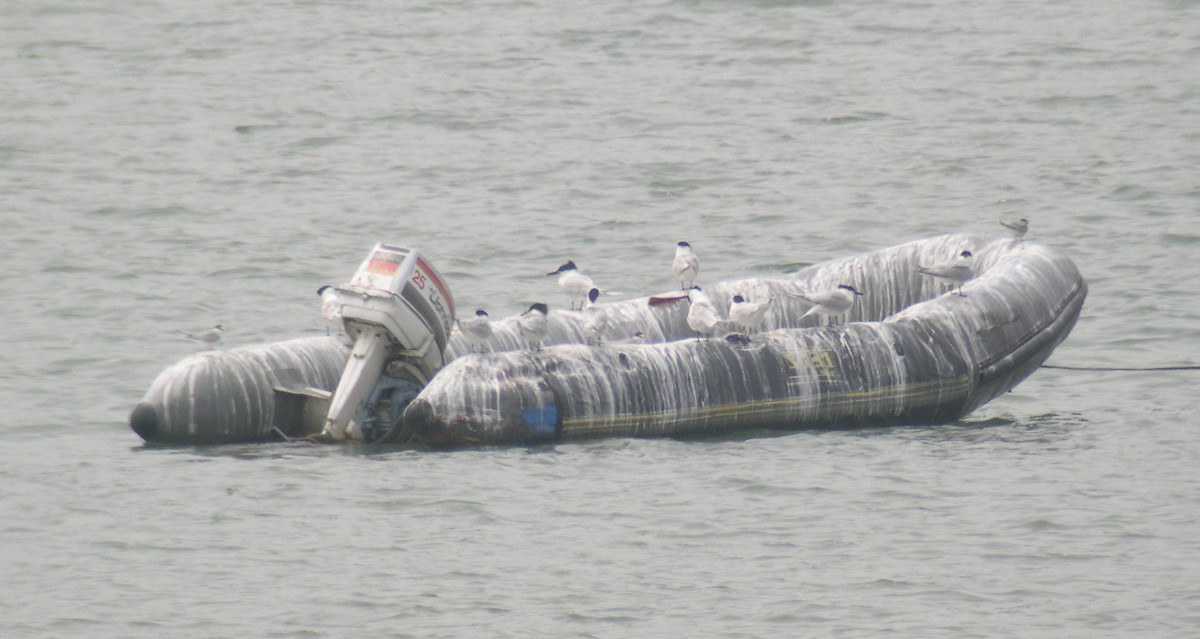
<point x="914" y="350"/>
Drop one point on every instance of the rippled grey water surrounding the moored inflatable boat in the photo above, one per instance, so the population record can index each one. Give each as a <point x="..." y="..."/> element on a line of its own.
<point x="171" y="165"/>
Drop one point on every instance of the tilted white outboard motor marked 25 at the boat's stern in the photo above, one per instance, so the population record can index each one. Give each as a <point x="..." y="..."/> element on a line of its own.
<point x="399" y="314"/>
